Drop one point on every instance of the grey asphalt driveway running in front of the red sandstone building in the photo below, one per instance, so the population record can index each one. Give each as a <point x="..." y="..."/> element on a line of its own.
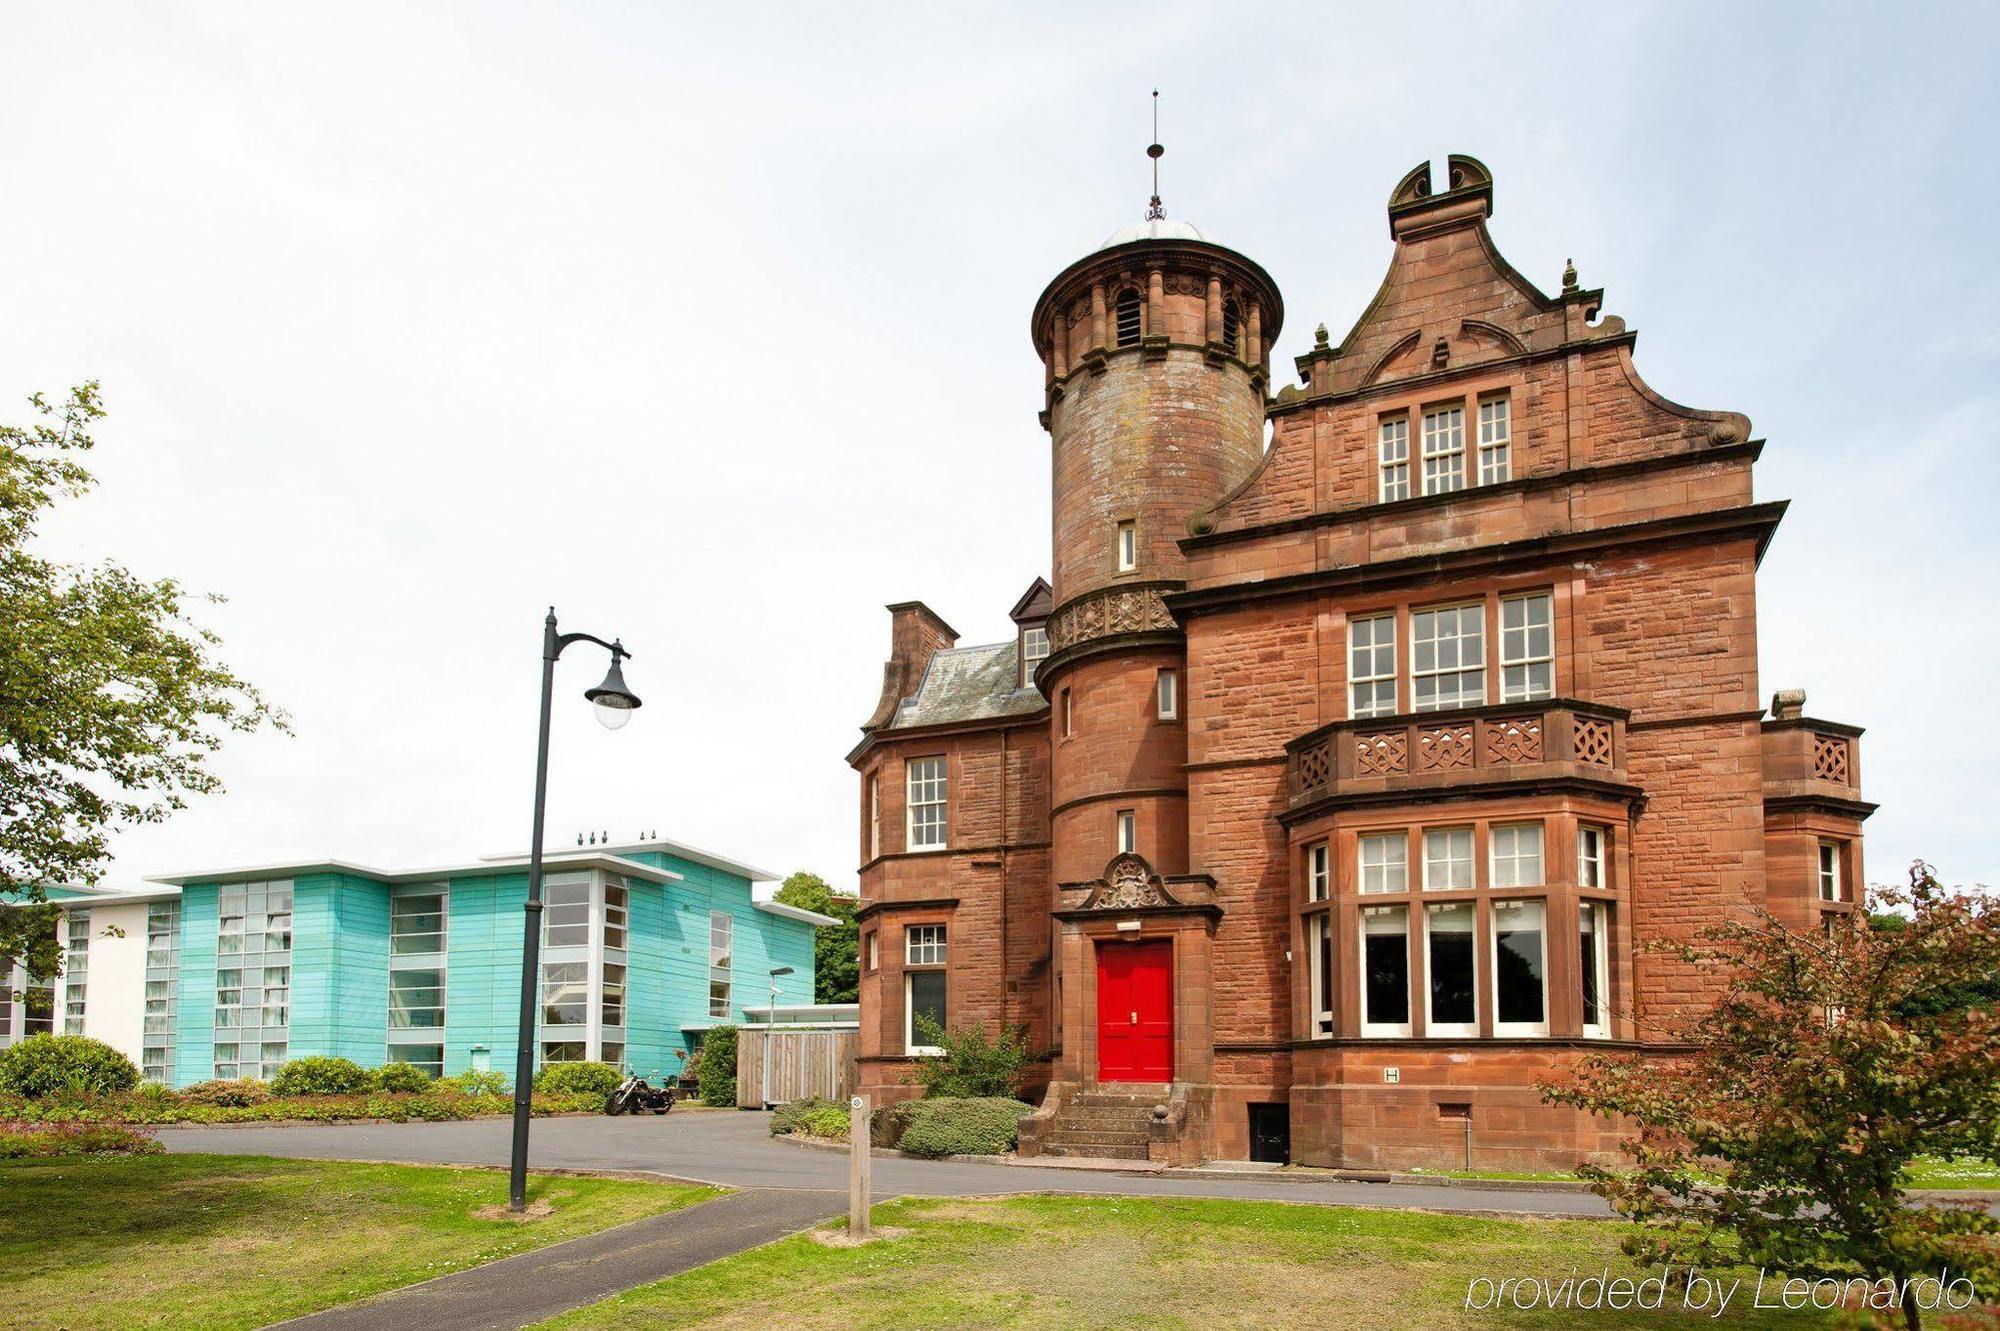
<point x="735" y="1150"/>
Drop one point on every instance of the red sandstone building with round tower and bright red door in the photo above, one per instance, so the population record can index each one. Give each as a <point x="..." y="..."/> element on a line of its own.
<point x="1331" y="792"/>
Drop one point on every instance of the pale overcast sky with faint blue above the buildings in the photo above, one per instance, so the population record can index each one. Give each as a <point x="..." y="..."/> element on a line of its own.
<point x="709" y="327"/>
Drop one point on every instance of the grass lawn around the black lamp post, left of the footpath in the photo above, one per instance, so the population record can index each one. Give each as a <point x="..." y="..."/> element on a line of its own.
<point x="241" y="1242"/>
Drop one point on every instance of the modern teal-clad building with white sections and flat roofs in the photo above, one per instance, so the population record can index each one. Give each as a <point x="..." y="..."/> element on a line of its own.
<point x="229" y="974"/>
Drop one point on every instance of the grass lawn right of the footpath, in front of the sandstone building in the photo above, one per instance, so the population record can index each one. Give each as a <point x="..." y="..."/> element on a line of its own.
<point x="1121" y="1262"/>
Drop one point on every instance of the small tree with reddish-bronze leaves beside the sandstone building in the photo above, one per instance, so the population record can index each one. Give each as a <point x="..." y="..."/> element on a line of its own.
<point x="1833" y="1062"/>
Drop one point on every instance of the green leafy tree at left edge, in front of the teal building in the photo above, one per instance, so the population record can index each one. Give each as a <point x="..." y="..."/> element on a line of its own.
<point x="111" y="700"/>
